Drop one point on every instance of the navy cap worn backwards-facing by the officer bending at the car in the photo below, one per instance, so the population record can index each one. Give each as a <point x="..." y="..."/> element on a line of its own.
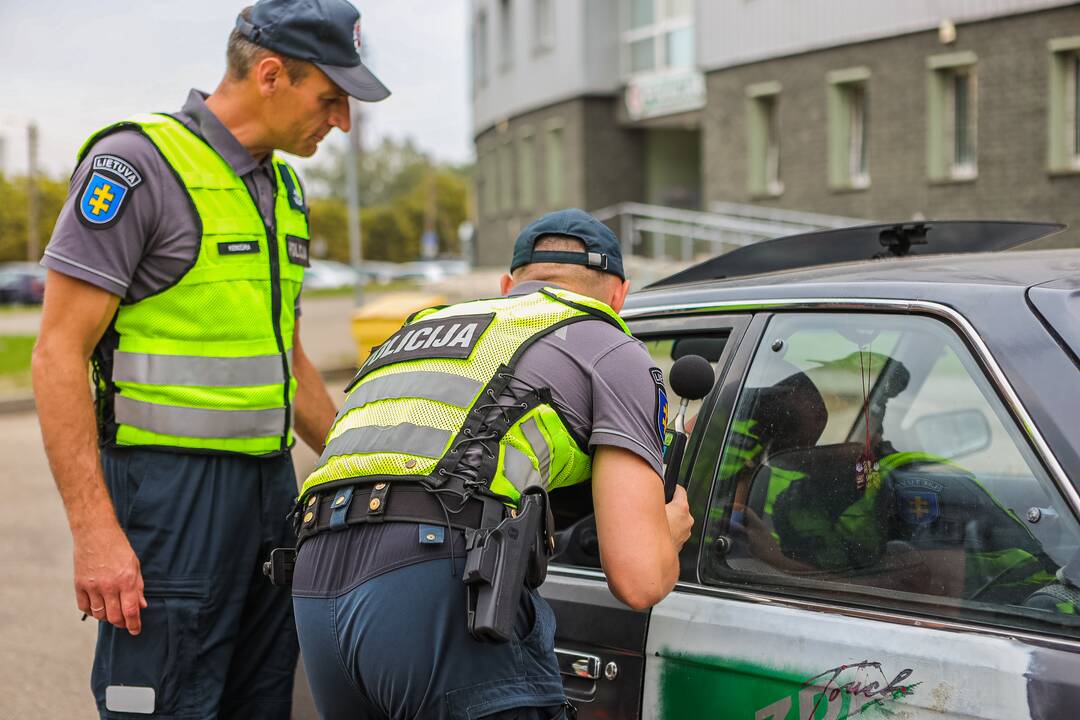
<point x="603" y="251"/>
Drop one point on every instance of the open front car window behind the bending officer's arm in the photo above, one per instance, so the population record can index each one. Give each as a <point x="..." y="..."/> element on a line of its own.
<point x="576" y="529"/>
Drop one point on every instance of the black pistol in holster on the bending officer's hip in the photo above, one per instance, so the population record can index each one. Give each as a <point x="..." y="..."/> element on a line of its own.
<point x="503" y="562"/>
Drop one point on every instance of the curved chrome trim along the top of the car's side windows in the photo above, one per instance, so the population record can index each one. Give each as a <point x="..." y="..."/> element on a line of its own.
<point x="920" y="307"/>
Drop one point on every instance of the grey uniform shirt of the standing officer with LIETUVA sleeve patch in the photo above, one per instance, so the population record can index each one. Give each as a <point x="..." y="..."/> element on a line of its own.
<point x="154" y="238"/>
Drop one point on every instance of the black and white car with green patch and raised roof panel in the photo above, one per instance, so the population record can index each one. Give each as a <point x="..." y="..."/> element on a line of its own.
<point x="885" y="484"/>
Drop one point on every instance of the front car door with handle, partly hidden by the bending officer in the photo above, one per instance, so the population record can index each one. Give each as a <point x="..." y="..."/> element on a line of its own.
<point x="600" y="643"/>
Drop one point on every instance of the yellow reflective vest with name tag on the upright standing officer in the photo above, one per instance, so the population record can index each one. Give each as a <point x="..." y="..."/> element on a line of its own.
<point x="205" y="365"/>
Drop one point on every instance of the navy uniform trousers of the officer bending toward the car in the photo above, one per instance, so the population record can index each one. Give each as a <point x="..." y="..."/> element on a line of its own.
<point x="395" y="645"/>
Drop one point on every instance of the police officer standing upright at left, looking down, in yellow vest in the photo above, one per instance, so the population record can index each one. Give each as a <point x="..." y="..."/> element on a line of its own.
<point x="174" y="273"/>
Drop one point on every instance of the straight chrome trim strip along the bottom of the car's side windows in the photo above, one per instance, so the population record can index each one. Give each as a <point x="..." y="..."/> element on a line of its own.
<point x="727" y="593"/>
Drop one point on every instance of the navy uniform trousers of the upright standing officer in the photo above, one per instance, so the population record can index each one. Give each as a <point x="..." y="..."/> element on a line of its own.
<point x="219" y="641"/>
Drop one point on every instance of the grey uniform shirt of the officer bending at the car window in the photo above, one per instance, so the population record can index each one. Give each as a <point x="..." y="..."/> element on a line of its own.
<point x="606" y="387"/>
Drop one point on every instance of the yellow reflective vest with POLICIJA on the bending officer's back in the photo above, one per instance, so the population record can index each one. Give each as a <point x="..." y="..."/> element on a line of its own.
<point x="426" y="399"/>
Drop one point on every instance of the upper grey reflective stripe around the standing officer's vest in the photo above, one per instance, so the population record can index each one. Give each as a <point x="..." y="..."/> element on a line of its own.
<point x="153" y="370"/>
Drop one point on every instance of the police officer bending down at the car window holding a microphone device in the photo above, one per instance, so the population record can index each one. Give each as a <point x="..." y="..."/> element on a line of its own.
<point x="464" y="414"/>
